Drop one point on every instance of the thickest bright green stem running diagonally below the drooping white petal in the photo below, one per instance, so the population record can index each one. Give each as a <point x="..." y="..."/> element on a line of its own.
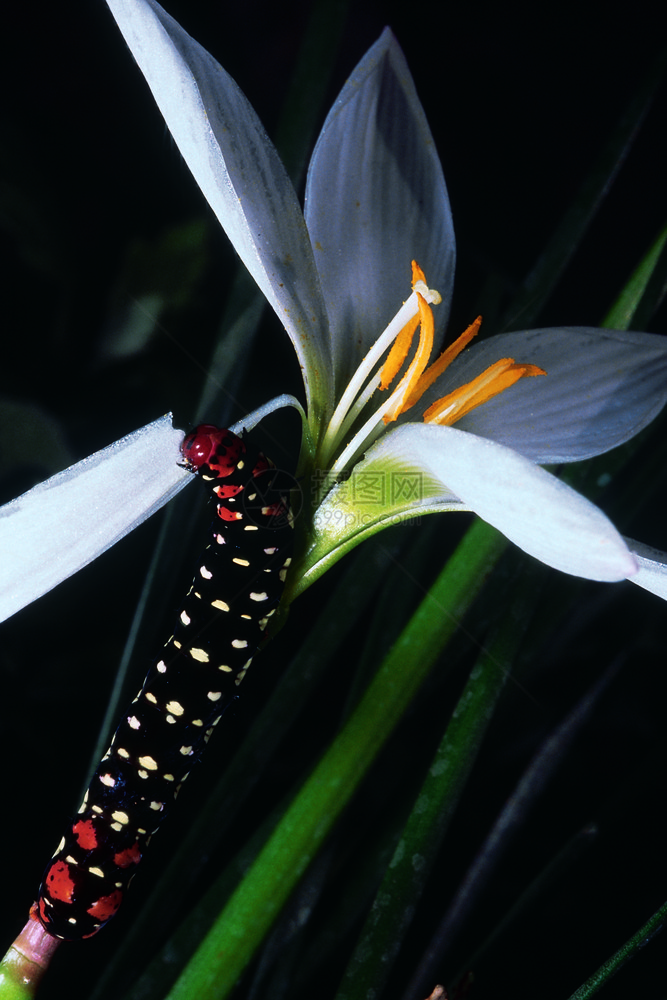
<point x="245" y="920"/>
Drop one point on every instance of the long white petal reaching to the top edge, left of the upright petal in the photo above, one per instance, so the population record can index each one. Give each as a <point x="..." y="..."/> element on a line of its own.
<point x="240" y="173"/>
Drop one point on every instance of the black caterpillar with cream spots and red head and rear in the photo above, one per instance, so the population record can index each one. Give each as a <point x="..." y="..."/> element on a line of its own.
<point x="237" y="587"/>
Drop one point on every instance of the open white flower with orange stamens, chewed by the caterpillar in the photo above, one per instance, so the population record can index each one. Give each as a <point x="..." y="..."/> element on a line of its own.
<point x="336" y="275"/>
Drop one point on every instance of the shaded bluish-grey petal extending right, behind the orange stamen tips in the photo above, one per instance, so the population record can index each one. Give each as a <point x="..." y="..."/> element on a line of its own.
<point x="602" y="387"/>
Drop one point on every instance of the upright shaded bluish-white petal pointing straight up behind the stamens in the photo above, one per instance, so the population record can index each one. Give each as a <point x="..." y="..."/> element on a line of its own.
<point x="375" y="200"/>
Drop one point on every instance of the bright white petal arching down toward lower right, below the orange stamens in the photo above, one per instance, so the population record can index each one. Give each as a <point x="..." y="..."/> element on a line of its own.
<point x="536" y="511"/>
